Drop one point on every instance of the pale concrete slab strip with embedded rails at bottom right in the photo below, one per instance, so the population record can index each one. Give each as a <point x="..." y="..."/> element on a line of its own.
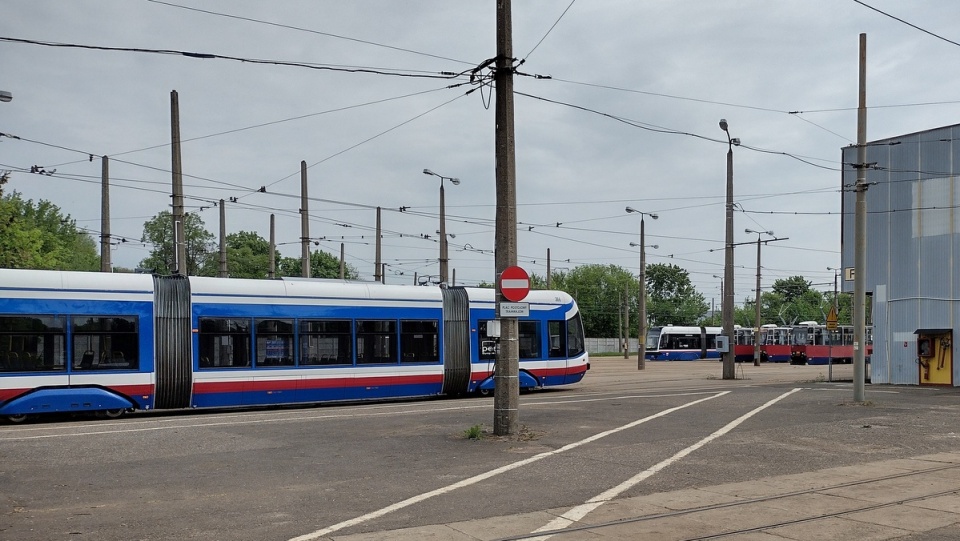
<point x="916" y="499"/>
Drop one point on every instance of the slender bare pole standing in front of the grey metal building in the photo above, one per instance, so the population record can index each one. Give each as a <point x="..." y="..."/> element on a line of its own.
<point x="860" y="234"/>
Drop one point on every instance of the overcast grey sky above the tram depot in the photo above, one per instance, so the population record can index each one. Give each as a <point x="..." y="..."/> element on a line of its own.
<point x="628" y="117"/>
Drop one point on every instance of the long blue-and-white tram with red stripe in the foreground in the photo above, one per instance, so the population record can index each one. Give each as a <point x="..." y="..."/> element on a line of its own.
<point x="109" y="343"/>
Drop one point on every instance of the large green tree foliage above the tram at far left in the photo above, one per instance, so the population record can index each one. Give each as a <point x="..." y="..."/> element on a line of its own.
<point x="38" y="236"/>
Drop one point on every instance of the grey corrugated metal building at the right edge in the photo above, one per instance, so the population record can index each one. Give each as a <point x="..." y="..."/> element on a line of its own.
<point x="913" y="239"/>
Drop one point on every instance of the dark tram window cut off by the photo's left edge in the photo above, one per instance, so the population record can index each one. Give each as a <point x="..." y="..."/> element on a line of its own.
<point x="32" y="343"/>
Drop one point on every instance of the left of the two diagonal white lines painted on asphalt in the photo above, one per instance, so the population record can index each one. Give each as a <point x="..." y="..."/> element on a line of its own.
<point x="492" y="473"/>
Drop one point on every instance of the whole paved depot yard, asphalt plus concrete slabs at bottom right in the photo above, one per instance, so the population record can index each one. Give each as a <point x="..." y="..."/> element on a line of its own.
<point x="670" y="452"/>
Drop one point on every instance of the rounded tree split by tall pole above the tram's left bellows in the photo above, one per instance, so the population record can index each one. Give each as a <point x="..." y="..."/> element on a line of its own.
<point x="200" y="246"/>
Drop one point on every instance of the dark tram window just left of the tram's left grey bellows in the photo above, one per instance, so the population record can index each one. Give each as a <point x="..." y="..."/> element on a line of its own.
<point x="106" y="343"/>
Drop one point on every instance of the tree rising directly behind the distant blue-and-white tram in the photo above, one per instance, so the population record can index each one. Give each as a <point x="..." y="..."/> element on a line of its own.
<point x="672" y="299"/>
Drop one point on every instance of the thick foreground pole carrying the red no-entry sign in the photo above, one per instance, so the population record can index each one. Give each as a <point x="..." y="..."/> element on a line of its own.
<point x="506" y="395"/>
